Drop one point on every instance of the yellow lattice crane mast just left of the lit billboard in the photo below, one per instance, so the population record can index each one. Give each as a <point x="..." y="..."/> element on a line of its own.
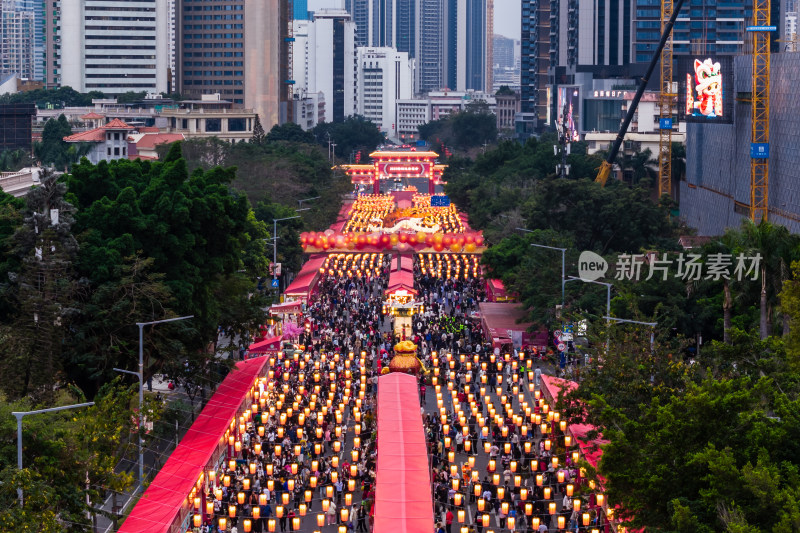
<point x="666" y="98"/>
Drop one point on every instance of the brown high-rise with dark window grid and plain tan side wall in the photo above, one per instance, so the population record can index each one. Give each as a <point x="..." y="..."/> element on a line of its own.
<point x="239" y="49"/>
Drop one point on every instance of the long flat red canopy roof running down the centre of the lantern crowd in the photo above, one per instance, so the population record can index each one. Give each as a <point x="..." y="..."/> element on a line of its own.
<point x="403" y="499"/>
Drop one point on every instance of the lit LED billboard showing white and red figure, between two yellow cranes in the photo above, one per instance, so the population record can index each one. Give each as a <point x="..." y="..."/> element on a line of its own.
<point x="706" y="89"/>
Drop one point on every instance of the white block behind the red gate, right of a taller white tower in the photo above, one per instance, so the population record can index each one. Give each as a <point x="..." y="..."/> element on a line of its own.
<point x="384" y="76"/>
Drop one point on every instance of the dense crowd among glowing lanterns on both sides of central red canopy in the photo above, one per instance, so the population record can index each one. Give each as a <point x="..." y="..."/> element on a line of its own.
<point x="307" y="458"/>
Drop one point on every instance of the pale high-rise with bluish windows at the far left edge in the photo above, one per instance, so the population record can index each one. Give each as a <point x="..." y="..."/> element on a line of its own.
<point x="17" y="29"/>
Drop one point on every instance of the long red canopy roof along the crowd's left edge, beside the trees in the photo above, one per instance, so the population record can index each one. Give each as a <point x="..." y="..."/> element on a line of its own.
<point x="164" y="504"/>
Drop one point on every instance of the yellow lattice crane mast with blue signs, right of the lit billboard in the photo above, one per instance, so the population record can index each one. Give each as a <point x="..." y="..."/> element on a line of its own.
<point x="759" y="149"/>
